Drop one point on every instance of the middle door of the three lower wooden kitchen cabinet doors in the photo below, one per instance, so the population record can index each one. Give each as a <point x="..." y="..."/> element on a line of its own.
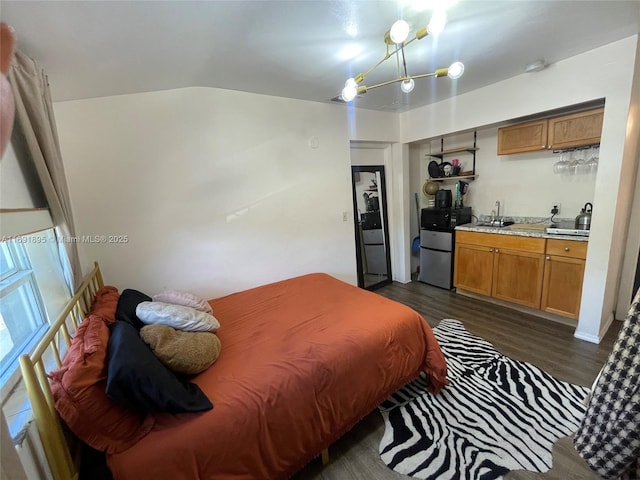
<point x="517" y="277"/>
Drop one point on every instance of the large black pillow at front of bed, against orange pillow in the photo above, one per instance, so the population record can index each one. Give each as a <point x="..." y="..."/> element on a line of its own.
<point x="138" y="380"/>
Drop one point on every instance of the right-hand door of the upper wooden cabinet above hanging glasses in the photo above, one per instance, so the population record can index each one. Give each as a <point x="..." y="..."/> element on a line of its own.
<point x="575" y="130"/>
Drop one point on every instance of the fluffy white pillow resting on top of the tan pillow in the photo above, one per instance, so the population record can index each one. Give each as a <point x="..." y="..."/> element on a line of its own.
<point x="176" y="316"/>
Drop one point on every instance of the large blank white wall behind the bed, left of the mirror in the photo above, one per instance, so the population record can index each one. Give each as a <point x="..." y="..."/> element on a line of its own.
<point x="216" y="190"/>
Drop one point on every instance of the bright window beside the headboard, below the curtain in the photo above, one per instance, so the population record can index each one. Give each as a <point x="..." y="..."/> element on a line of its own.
<point x="32" y="293"/>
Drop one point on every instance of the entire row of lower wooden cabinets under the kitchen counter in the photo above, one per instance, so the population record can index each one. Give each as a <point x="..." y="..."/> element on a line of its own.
<point x="534" y="272"/>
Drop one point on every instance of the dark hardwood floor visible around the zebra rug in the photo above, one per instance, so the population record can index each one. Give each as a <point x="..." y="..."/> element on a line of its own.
<point x="544" y="343"/>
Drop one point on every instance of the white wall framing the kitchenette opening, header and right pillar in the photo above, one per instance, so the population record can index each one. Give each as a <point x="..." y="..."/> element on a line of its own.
<point x="606" y="72"/>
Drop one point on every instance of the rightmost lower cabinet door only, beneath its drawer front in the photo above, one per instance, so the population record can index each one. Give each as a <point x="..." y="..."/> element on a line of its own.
<point x="562" y="285"/>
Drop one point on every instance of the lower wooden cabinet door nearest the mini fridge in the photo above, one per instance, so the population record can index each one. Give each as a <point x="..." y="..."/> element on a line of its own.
<point x="473" y="268"/>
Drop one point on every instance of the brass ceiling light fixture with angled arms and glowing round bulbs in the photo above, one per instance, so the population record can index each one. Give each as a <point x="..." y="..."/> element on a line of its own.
<point x="396" y="41"/>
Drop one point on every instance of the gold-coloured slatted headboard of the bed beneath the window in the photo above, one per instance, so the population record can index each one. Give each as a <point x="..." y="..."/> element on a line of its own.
<point x="62" y="462"/>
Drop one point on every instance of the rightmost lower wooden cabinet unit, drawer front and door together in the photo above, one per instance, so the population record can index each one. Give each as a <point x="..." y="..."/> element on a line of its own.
<point x="563" y="275"/>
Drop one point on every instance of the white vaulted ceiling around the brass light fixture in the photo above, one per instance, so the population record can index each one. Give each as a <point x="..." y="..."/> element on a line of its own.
<point x="299" y="49"/>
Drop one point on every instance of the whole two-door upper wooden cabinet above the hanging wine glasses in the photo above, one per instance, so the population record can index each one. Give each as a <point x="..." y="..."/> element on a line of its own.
<point x="567" y="131"/>
